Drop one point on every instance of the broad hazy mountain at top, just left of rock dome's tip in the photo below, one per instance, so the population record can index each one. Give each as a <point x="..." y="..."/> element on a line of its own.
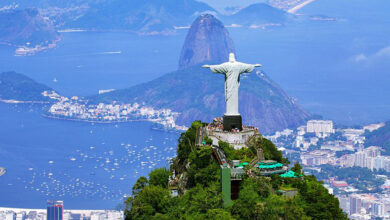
<point x="140" y="16"/>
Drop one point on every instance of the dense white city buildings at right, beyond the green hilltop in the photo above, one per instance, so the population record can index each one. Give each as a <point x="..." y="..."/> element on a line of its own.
<point x="318" y="143"/>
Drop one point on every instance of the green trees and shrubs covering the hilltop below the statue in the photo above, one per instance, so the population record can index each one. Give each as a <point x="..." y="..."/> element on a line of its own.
<point x="197" y="175"/>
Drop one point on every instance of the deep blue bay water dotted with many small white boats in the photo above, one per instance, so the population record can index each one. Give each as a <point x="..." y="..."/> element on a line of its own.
<point x="88" y="166"/>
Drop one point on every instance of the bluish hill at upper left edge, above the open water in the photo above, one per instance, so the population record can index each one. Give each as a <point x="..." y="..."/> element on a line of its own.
<point x="25" y="27"/>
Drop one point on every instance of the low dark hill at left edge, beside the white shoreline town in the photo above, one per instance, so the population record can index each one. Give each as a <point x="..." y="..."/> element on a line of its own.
<point x="15" y="86"/>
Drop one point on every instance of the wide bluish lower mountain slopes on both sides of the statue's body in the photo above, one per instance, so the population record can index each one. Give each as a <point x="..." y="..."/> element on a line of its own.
<point x="198" y="94"/>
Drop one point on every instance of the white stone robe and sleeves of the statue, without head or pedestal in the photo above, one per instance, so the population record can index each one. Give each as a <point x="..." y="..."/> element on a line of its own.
<point x="232" y="72"/>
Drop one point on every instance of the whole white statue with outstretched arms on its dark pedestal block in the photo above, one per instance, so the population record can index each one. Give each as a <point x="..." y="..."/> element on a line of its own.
<point x="232" y="71"/>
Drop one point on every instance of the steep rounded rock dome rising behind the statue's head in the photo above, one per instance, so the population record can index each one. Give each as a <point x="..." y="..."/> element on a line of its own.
<point x="206" y="41"/>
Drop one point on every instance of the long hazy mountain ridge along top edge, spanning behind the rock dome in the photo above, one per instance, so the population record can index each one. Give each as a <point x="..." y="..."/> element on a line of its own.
<point x="143" y="17"/>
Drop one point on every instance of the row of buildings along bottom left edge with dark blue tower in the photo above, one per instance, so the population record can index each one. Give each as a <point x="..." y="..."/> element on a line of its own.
<point x="55" y="211"/>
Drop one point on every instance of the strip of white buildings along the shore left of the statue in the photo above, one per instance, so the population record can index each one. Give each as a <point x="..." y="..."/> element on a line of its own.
<point x="75" y="108"/>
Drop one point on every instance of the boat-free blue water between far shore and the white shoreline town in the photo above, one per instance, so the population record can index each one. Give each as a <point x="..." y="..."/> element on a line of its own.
<point x="85" y="62"/>
